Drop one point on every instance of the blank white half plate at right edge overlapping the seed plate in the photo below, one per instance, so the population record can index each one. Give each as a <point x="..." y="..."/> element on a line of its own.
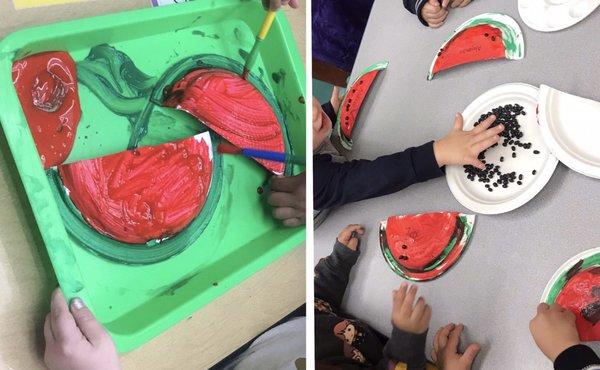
<point x="569" y="125"/>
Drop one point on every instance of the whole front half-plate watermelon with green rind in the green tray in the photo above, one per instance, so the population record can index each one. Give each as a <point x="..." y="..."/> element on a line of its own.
<point x="174" y="207"/>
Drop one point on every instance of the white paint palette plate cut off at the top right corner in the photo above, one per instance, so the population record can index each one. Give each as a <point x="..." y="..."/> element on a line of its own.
<point x="555" y="15"/>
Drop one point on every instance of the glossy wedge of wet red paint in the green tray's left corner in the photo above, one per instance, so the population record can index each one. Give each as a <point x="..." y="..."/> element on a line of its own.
<point x="46" y="85"/>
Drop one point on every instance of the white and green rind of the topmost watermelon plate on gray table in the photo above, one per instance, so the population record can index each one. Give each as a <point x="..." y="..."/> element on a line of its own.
<point x="511" y="36"/>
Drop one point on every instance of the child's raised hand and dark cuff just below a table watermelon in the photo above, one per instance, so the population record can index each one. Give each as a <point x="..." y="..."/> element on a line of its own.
<point x="411" y="321"/>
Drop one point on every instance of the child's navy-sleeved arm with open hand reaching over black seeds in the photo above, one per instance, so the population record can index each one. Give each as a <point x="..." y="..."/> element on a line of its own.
<point x="335" y="184"/>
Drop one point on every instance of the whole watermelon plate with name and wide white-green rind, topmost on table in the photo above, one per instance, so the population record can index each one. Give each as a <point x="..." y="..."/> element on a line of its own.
<point x="484" y="37"/>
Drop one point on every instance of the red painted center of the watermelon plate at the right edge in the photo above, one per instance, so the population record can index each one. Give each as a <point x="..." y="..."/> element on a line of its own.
<point x="579" y="295"/>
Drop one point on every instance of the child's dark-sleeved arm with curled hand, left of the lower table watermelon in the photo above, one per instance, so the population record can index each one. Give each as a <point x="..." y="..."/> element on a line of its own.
<point x="331" y="273"/>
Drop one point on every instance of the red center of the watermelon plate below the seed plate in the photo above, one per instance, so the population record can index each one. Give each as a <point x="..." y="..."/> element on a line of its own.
<point x="420" y="238"/>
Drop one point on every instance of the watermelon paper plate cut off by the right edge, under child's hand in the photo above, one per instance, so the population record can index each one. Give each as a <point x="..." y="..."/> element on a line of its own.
<point x="576" y="286"/>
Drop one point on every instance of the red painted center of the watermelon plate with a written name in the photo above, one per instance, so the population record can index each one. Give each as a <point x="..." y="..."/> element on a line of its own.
<point x="483" y="42"/>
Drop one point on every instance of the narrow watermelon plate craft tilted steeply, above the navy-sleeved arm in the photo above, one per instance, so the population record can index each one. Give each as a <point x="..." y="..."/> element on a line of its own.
<point x="353" y="100"/>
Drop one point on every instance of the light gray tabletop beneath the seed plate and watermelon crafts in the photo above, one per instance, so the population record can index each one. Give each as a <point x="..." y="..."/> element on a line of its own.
<point x="497" y="284"/>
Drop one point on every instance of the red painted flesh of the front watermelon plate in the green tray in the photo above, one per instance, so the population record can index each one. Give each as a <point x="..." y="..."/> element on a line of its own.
<point x="137" y="196"/>
